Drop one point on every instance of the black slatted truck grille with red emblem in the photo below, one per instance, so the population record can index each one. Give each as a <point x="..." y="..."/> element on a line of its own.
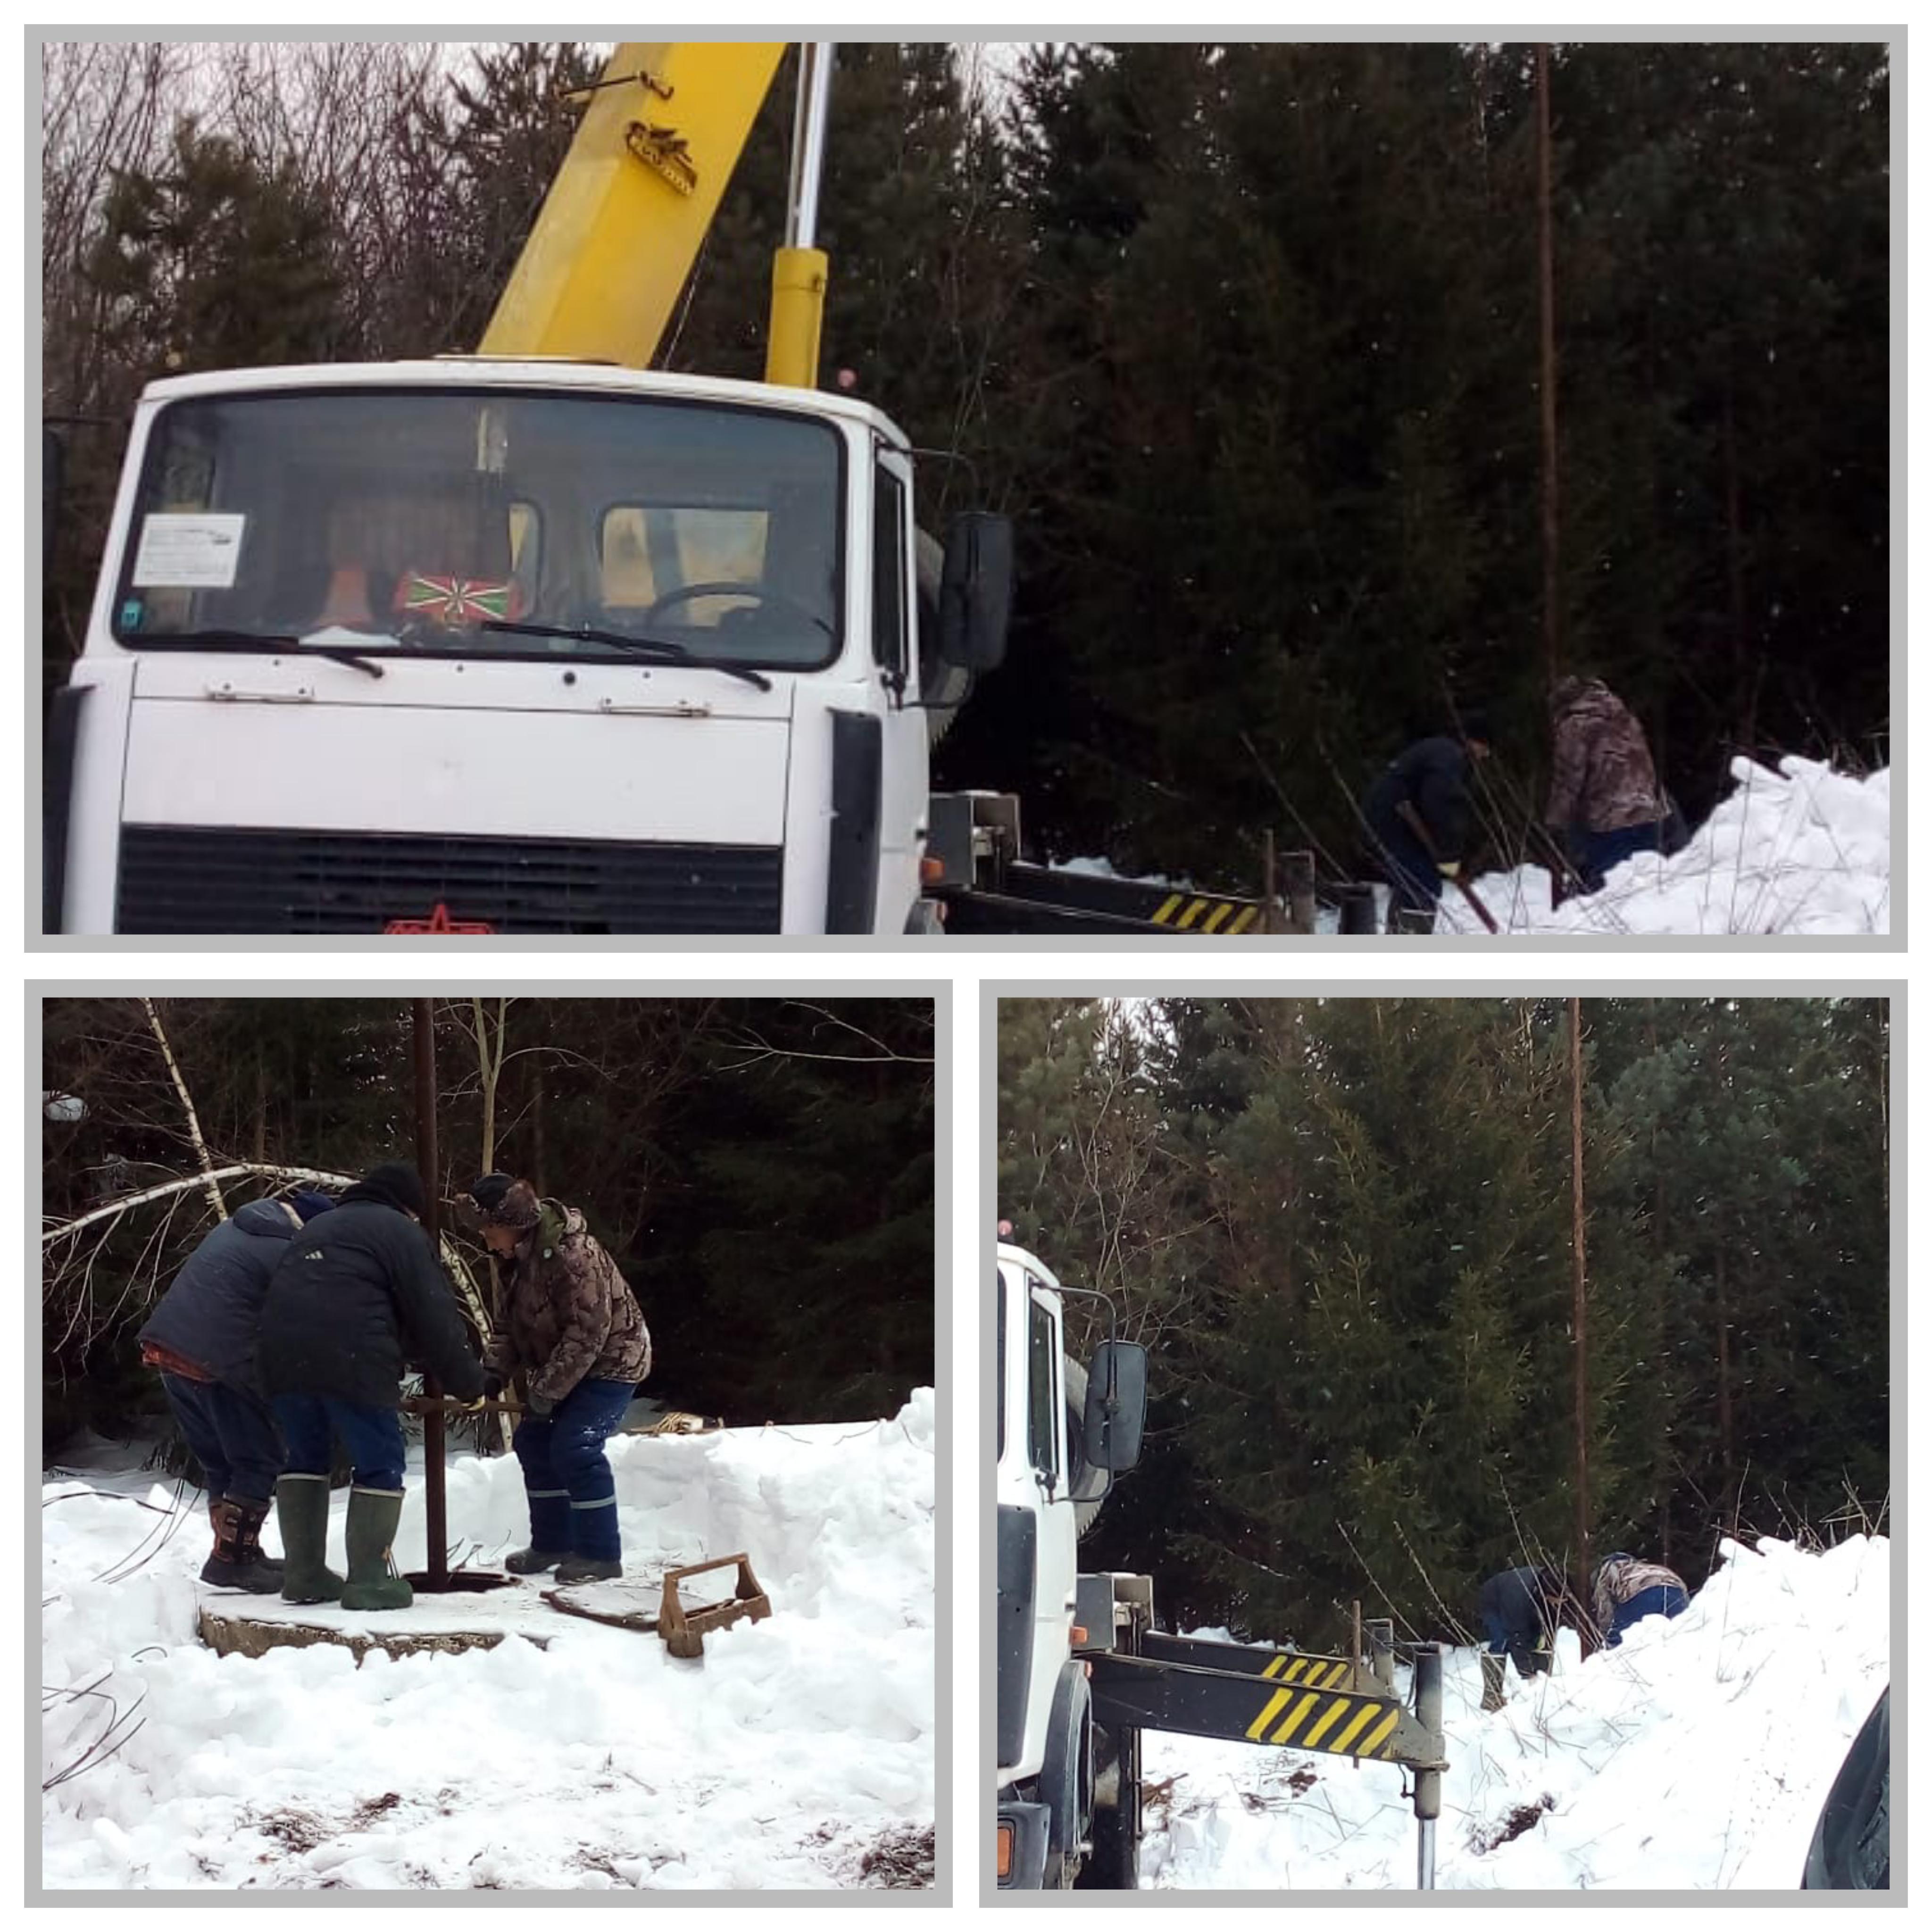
<point x="194" y="880"/>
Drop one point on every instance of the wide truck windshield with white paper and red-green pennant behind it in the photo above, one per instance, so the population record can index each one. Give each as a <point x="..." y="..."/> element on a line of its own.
<point x="420" y="521"/>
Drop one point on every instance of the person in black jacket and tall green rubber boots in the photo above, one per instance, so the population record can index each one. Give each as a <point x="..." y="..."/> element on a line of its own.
<point x="351" y="1303"/>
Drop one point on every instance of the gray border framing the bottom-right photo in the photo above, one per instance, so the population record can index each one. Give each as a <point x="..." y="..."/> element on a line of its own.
<point x="984" y="1251"/>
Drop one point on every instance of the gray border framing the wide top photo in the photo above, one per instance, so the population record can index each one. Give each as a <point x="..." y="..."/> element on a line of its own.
<point x="973" y="950"/>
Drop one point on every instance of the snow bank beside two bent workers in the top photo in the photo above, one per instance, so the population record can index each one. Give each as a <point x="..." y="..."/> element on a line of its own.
<point x="1804" y="849"/>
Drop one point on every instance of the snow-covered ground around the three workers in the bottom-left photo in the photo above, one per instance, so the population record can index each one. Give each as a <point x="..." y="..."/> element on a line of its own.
<point x="797" y="1753"/>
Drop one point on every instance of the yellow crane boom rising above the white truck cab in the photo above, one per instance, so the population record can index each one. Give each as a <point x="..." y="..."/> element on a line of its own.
<point x="633" y="202"/>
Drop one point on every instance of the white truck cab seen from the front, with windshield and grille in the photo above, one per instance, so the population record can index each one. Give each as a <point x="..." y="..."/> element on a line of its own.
<point x="511" y="644"/>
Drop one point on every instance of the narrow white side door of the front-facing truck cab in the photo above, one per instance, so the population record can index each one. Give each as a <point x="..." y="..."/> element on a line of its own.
<point x="903" y="781"/>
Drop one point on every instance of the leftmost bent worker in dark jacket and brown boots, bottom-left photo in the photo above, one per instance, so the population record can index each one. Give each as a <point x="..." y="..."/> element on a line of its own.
<point x="202" y="1338"/>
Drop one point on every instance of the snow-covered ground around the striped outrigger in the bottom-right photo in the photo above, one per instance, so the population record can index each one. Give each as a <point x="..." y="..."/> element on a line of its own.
<point x="1693" y="1757"/>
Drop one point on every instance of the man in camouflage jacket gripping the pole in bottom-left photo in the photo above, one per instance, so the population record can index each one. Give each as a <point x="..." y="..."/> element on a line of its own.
<point x="575" y="1334"/>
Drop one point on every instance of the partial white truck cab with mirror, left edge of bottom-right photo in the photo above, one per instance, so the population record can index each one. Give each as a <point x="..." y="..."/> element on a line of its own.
<point x="1062" y="1433"/>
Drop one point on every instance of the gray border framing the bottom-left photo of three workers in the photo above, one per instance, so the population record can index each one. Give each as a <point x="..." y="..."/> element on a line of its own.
<point x="946" y="1098"/>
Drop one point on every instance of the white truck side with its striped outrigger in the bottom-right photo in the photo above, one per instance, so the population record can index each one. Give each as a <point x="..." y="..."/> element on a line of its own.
<point x="1083" y="1672"/>
